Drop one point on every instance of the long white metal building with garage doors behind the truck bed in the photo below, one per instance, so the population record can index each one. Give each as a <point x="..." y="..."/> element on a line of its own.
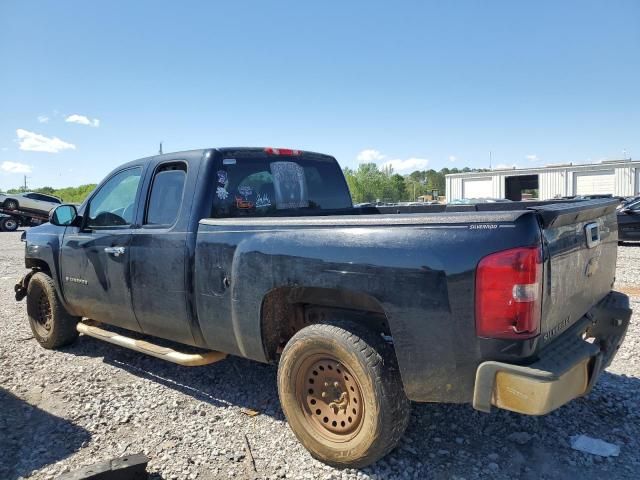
<point x="616" y="177"/>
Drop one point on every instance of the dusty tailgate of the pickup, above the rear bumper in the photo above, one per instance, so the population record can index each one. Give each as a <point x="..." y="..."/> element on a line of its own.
<point x="580" y="247"/>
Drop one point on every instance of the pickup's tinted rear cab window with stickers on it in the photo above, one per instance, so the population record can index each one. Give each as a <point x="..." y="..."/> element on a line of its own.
<point x="268" y="185"/>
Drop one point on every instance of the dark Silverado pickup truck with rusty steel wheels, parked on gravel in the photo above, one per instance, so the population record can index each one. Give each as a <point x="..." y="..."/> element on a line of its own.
<point x="259" y="253"/>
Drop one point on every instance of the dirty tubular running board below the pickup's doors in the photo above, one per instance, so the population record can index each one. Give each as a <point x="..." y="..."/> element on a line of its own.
<point x="169" y="354"/>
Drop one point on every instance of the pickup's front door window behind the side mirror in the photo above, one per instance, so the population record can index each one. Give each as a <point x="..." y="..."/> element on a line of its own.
<point x="114" y="204"/>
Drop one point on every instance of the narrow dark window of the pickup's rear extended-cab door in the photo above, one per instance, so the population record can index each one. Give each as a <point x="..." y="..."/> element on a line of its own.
<point x="166" y="194"/>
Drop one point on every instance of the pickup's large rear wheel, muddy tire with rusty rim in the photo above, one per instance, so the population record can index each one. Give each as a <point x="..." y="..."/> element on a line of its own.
<point x="336" y="429"/>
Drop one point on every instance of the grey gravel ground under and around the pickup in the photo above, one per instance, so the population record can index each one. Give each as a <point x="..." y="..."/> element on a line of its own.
<point x="92" y="401"/>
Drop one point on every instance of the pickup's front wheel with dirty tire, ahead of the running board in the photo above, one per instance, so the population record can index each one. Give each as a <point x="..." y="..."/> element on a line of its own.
<point x="51" y="324"/>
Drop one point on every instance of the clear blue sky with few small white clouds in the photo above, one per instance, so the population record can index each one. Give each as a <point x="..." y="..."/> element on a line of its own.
<point x="86" y="85"/>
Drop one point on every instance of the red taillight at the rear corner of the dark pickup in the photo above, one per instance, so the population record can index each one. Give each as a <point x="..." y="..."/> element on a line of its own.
<point x="509" y="294"/>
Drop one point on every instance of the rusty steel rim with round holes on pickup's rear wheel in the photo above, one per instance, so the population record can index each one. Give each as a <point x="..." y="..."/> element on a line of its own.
<point x="330" y="398"/>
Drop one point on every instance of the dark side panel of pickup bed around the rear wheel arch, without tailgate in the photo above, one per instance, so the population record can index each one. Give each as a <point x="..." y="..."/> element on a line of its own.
<point x="421" y="275"/>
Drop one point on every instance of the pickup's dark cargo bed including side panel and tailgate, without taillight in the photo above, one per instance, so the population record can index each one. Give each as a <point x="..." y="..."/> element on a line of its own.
<point x="418" y="269"/>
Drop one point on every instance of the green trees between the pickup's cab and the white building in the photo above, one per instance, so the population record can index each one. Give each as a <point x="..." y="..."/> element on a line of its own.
<point x="369" y="183"/>
